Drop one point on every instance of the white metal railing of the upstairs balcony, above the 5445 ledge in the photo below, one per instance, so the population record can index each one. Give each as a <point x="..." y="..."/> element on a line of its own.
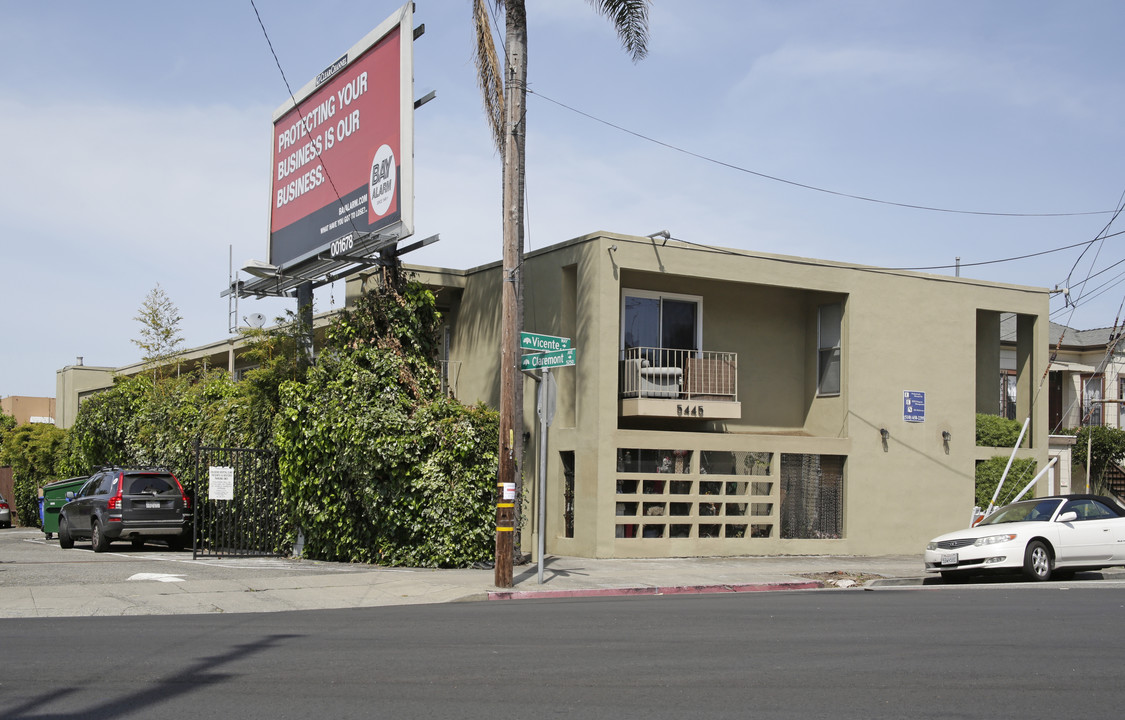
<point x="700" y="375"/>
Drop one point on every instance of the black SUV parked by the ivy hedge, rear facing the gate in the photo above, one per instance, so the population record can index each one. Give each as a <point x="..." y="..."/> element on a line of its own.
<point x="120" y="505"/>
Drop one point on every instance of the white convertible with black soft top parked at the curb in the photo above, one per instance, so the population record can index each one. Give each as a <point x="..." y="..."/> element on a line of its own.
<point x="1043" y="538"/>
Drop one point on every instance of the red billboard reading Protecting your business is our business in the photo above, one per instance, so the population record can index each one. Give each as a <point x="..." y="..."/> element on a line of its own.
<point x="344" y="150"/>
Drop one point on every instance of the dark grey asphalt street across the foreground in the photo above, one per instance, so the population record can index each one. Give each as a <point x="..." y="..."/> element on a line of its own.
<point x="978" y="652"/>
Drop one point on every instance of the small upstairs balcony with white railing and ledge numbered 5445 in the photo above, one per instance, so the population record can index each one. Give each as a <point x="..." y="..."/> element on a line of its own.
<point x="692" y="384"/>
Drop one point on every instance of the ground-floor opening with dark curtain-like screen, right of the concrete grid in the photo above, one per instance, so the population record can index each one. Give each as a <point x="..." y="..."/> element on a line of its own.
<point x="812" y="497"/>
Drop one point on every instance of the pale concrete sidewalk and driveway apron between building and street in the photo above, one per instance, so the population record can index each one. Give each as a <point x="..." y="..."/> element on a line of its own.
<point x="175" y="584"/>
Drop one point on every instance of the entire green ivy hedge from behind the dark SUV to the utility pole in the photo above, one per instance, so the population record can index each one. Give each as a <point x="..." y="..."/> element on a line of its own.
<point x="376" y="464"/>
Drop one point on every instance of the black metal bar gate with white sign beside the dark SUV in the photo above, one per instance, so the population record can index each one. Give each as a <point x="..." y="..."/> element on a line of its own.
<point x="238" y="505"/>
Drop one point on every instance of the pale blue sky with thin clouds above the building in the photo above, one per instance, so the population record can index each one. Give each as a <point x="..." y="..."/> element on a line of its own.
<point x="138" y="146"/>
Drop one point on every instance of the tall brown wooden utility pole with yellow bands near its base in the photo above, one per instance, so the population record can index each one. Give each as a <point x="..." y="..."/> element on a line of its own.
<point x="511" y="381"/>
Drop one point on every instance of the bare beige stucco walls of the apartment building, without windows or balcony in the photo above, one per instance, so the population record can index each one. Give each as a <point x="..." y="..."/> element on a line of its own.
<point x="902" y="332"/>
